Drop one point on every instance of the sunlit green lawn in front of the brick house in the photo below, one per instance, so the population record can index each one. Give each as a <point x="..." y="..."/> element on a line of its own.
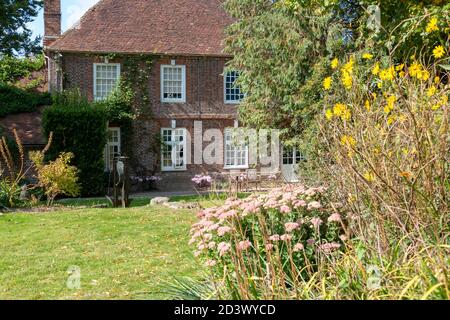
<point x="122" y="253"/>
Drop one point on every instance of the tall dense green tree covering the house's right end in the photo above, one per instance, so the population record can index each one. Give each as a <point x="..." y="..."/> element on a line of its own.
<point x="280" y="51"/>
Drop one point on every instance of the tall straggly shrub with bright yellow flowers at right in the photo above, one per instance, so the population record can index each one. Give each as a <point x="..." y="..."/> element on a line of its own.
<point x="386" y="129"/>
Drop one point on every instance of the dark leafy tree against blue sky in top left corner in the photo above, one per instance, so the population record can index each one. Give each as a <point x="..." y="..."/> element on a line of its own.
<point x="15" y="36"/>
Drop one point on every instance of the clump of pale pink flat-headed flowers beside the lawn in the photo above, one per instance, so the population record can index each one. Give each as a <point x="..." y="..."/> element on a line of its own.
<point x="281" y="234"/>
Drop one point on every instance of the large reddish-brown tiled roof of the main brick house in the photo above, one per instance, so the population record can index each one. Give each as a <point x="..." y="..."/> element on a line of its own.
<point x="174" y="27"/>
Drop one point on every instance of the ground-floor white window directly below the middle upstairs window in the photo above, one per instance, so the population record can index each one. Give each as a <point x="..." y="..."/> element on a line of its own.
<point x="173" y="149"/>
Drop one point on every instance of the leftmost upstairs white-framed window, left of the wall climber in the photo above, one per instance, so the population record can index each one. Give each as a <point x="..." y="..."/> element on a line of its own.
<point x="106" y="78"/>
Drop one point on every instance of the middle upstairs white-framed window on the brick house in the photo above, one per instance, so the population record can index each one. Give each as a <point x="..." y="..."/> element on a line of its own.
<point x="173" y="83"/>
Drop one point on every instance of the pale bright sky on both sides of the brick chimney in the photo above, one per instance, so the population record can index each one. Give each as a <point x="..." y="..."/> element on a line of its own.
<point x="71" y="10"/>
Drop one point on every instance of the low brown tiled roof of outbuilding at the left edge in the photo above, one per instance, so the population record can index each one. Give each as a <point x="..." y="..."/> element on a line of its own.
<point x="28" y="126"/>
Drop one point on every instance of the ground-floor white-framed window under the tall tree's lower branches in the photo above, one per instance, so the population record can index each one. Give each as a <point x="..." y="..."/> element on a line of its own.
<point x="236" y="149"/>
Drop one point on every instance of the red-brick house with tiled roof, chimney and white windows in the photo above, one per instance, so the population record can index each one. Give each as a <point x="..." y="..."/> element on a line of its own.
<point x="188" y="87"/>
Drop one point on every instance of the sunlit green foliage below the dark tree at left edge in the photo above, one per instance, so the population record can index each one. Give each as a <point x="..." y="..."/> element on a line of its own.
<point x="13" y="68"/>
